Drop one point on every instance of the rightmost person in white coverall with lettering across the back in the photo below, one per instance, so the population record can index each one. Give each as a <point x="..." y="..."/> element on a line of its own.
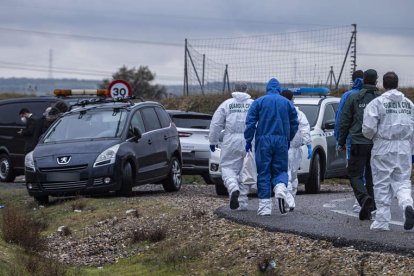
<point x="389" y="122"/>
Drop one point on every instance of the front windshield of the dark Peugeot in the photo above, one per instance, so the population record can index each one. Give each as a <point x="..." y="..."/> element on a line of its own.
<point x="88" y="124"/>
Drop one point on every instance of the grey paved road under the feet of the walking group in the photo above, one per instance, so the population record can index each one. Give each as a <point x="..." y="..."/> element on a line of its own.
<point x="329" y="216"/>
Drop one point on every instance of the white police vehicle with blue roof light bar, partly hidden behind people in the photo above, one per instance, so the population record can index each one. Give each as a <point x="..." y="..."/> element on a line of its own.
<point x="326" y="161"/>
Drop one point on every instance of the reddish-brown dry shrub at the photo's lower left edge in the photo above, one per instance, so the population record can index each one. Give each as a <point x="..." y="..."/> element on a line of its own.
<point x="20" y="228"/>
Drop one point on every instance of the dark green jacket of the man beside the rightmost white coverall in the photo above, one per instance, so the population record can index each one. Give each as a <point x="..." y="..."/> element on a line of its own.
<point x="353" y="114"/>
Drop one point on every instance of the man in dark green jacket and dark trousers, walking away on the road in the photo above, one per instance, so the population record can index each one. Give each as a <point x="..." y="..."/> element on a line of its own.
<point x="359" y="162"/>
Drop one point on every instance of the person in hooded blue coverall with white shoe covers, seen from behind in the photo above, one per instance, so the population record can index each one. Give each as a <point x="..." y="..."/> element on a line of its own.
<point x="273" y="122"/>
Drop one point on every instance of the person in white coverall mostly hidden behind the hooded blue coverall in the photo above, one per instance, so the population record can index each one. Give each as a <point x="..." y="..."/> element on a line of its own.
<point x="302" y="137"/>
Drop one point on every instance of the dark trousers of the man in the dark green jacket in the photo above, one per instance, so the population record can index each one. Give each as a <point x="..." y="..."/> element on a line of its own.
<point x="359" y="166"/>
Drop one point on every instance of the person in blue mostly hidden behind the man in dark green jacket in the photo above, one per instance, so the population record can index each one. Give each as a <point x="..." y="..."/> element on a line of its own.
<point x="357" y="80"/>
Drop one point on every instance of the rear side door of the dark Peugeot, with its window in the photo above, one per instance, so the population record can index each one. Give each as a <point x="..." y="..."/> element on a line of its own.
<point x="157" y="142"/>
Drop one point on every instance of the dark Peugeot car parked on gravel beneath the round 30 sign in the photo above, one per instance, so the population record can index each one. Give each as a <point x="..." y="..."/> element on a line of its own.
<point x="105" y="147"/>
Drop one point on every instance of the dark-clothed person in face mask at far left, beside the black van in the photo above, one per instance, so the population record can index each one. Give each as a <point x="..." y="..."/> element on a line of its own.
<point x="32" y="131"/>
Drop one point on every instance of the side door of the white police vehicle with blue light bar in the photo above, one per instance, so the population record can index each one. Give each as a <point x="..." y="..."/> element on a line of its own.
<point x="336" y="161"/>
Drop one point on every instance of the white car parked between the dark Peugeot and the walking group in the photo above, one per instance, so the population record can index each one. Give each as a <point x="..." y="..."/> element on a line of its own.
<point x="193" y="129"/>
